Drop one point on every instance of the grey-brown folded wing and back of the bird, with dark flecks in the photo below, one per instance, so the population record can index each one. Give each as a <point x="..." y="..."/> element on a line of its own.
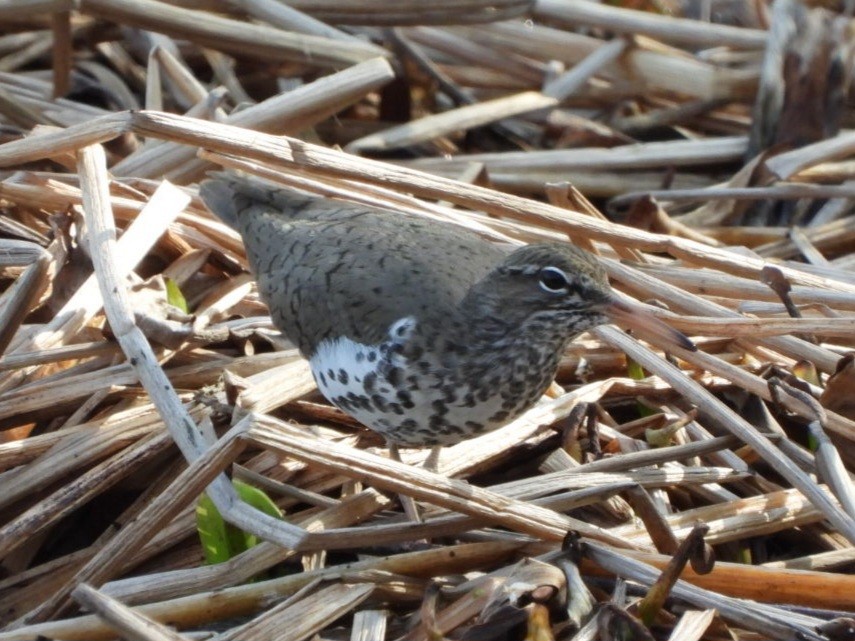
<point x="328" y="269"/>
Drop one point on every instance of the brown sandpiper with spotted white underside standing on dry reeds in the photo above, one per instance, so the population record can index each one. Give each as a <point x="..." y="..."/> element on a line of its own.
<point x="426" y="333"/>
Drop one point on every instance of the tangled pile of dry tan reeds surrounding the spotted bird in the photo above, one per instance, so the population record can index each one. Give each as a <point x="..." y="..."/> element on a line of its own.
<point x="712" y="139"/>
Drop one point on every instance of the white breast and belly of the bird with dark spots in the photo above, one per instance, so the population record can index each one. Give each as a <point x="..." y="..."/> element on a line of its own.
<point x="408" y="393"/>
